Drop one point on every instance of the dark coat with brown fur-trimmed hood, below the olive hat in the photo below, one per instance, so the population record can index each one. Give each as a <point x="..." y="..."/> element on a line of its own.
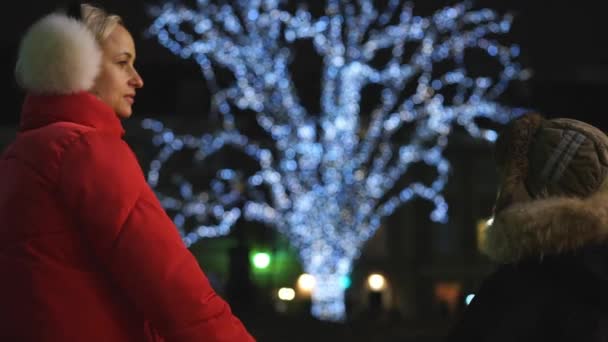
<point x="553" y="281"/>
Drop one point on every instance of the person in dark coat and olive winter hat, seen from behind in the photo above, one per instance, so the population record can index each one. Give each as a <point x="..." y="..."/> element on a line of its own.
<point x="549" y="236"/>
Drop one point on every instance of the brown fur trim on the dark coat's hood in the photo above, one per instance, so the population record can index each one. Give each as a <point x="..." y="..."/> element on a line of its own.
<point x="546" y="227"/>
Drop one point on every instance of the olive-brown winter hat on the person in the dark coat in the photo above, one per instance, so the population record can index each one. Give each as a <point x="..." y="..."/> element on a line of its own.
<point x="540" y="158"/>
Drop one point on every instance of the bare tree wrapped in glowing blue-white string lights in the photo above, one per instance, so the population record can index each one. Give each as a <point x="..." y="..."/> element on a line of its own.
<point x="331" y="180"/>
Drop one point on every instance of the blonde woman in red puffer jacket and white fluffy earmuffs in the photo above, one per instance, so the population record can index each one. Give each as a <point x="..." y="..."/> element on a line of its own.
<point x="86" y="251"/>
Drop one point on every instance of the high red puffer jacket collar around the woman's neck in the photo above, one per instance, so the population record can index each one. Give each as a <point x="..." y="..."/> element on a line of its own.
<point x="81" y="108"/>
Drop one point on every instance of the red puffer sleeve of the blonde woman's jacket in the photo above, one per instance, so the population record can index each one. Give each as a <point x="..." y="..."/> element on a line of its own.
<point x="102" y="184"/>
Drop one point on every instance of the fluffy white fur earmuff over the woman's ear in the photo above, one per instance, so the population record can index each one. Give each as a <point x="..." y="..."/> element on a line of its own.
<point x="58" y="55"/>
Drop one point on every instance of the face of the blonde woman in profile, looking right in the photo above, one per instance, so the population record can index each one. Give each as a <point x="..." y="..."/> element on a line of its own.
<point x="117" y="80"/>
